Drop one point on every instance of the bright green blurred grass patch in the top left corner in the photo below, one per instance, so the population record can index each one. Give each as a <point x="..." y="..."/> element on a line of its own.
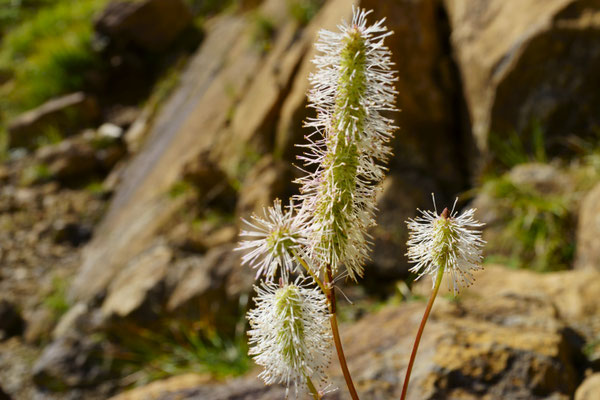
<point x="48" y="54"/>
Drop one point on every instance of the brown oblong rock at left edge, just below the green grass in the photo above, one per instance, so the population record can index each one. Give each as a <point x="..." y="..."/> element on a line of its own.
<point x="66" y="114"/>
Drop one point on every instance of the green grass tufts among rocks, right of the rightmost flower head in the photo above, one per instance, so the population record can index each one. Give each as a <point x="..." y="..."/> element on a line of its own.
<point x="537" y="227"/>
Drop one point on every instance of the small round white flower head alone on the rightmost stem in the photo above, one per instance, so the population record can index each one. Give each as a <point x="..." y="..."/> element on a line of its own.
<point x="448" y="241"/>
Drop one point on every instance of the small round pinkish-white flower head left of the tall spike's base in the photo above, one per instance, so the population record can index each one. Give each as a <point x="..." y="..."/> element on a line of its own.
<point x="269" y="242"/>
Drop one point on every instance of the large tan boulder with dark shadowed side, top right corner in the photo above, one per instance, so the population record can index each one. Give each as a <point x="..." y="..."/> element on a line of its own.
<point x="527" y="63"/>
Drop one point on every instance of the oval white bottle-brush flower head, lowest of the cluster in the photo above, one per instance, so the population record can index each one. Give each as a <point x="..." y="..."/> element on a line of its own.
<point x="289" y="333"/>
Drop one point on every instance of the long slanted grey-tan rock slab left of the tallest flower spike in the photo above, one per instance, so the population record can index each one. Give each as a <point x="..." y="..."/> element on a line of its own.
<point x="189" y="124"/>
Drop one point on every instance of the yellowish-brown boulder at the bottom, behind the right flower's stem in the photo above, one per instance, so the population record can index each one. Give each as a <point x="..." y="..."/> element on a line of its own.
<point x="513" y="335"/>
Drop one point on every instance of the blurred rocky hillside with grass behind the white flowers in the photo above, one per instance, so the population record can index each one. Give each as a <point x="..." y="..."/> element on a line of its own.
<point x="135" y="134"/>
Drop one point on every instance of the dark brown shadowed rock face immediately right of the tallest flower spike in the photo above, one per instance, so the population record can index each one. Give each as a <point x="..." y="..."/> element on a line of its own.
<point x="430" y="109"/>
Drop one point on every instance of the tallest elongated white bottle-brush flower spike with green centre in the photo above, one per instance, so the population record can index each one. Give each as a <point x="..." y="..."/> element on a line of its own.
<point x="352" y="85"/>
